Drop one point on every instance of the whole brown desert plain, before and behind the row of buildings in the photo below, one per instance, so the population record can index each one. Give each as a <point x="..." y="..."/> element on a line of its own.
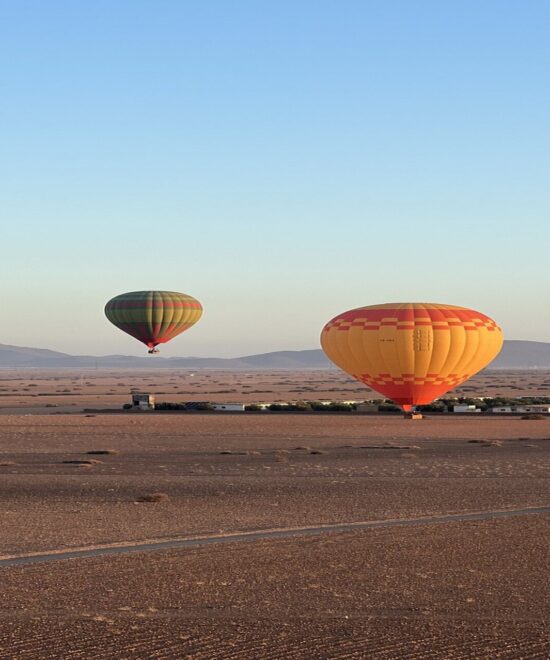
<point x="283" y="567"/>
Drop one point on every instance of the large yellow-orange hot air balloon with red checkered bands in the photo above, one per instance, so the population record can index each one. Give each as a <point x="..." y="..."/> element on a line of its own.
<point x="411" y="353"/>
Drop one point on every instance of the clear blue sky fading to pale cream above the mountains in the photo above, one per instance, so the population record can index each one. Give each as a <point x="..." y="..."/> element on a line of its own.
<point x="282" y="161"/>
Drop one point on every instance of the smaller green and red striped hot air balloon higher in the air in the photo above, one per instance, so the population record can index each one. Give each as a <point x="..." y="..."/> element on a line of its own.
<point x="153" y="317"/>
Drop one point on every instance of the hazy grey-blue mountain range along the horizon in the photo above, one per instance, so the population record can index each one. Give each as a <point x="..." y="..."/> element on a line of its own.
<point x="514" y="355"/>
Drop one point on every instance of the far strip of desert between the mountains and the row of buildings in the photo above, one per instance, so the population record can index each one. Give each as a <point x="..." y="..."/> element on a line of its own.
<point x="28" y="390"/>
